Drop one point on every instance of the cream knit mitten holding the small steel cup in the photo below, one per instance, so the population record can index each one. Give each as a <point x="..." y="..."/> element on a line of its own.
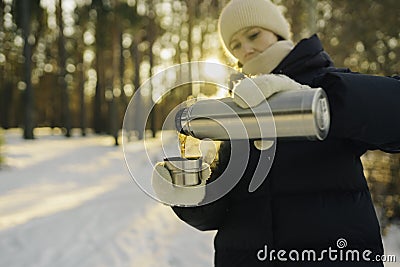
<point x="174" y="195"/>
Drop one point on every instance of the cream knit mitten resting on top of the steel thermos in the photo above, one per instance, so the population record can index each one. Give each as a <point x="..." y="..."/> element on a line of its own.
<point x="250" y="92"/>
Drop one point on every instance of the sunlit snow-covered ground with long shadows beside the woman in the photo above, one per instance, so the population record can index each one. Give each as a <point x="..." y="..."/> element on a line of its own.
<point x="71" y="202"/>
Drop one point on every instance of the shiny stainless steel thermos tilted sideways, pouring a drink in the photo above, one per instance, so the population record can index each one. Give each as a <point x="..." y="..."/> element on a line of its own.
<point x="294" y="114"/>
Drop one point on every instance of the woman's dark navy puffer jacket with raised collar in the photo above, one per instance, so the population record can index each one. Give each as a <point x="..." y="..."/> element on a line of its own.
<point x="315" y="194"/>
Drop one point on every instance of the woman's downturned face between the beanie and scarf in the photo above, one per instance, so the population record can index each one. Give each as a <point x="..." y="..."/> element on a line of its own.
<point x="249" y="42"/>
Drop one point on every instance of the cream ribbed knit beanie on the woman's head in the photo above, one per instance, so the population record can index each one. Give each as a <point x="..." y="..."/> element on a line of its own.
<point x="240" y="14"/>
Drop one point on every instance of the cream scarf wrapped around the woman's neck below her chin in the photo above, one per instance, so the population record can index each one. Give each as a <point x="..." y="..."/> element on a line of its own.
<point x="268" y="60"/>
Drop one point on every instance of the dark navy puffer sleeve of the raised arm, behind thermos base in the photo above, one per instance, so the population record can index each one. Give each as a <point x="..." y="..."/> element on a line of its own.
<point x="365" y="109"/>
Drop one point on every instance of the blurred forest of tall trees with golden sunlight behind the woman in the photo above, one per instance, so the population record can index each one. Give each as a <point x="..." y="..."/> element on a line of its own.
<point x="75" y="64"/>
